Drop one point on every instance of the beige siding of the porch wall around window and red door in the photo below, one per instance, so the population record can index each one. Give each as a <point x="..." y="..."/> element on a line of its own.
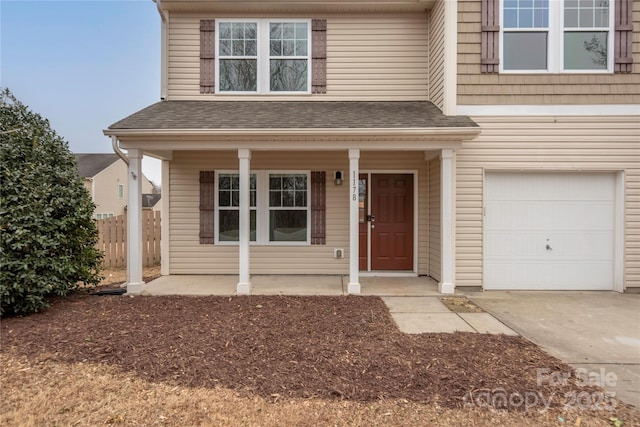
<point x="188" y="256"/>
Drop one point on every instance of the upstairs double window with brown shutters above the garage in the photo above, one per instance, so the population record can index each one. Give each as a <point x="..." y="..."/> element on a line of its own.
<point x="546" y="36"/>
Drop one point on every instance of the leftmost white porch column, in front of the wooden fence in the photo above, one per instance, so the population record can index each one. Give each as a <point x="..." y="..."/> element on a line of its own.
<point x="135" y="284"/>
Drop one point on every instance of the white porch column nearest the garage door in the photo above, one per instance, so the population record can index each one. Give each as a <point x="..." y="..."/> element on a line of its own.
<point x="447" y="222"/>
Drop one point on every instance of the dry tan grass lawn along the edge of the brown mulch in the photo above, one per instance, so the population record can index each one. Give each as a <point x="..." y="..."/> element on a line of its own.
<point x="85" y="394"/>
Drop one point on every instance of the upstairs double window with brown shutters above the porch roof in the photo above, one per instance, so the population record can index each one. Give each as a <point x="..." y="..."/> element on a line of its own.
<point x="282" y="56"/>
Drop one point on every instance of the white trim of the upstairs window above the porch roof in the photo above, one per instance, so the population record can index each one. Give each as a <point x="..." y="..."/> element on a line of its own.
<point x="263" y="56"/>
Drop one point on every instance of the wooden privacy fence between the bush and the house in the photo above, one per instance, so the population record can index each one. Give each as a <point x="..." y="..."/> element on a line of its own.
<point x="112" y="239"/>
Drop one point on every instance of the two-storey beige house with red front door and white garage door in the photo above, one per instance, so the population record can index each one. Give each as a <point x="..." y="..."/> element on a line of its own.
<point x="483" y="143"/>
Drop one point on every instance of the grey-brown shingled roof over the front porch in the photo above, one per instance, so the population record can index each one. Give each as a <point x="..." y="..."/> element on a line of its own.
<point x="174" y="115"/>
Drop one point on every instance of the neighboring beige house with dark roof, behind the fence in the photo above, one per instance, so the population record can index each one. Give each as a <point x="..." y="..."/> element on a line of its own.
<point x="105" y="177"/>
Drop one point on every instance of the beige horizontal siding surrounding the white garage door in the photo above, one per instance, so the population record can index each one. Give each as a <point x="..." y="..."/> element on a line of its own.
<point x="545" y="143"/>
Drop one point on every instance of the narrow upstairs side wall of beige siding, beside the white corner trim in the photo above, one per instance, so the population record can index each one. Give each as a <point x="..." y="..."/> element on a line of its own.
<point x="436" y="55"/>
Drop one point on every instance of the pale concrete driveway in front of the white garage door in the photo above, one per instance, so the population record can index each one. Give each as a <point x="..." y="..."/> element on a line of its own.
<point x="596" y="332"/>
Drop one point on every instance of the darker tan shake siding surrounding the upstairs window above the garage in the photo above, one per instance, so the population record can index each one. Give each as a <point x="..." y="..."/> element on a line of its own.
<point x="475" y="88"/>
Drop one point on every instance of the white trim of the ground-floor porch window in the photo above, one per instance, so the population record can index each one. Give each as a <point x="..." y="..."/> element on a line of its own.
<point x="262" y="208"/>
